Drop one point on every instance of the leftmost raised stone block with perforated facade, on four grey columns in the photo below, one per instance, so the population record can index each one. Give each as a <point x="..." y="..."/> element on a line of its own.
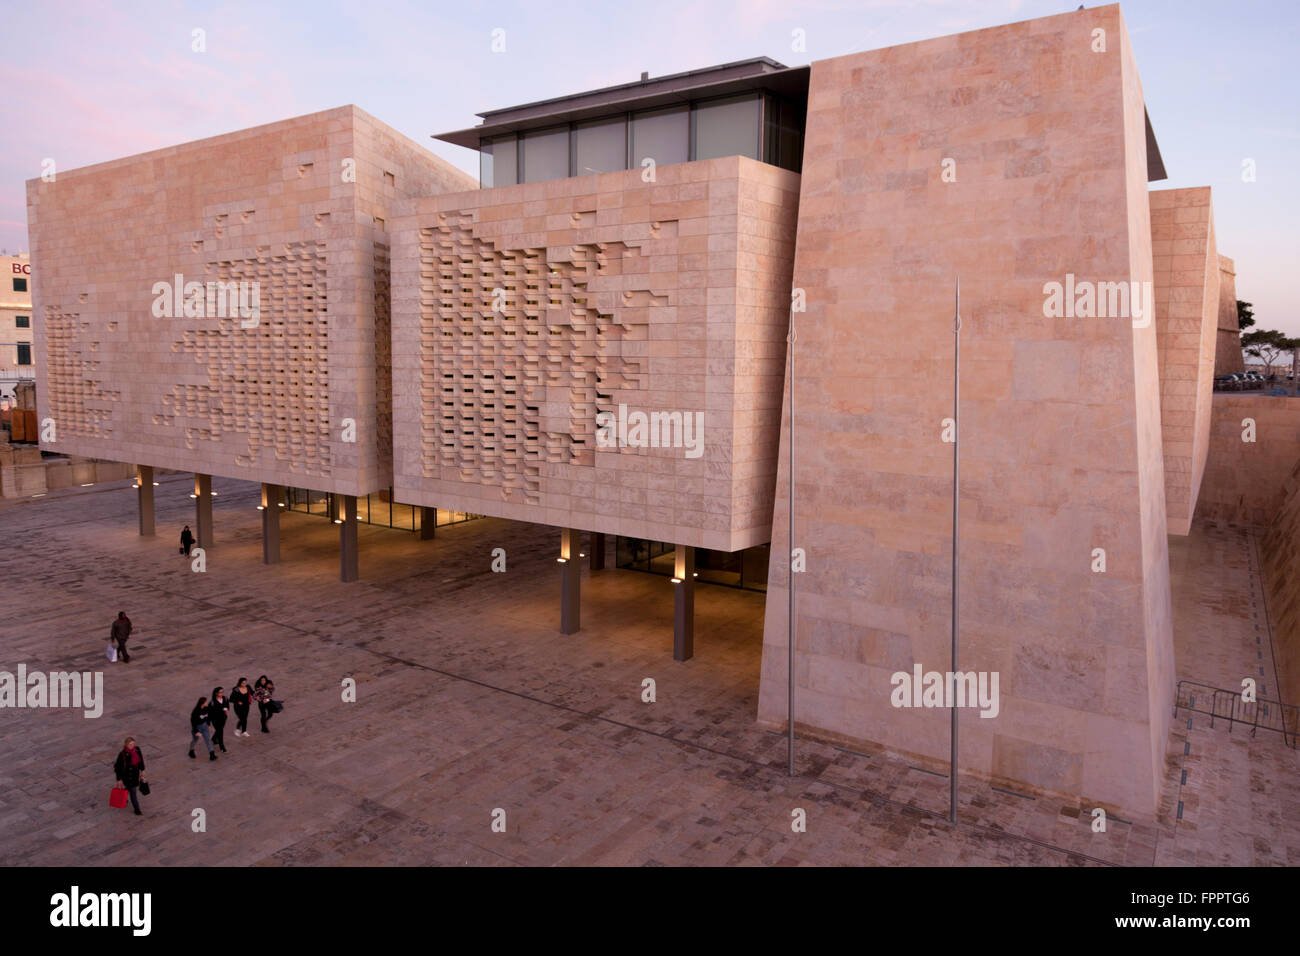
<point x="296" y="207"/>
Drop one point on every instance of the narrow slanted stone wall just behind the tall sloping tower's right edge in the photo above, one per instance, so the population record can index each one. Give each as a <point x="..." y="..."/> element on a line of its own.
<point x="1188" y="313"/>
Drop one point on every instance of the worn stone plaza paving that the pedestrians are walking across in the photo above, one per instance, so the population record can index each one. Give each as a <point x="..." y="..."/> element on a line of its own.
<point x="470" y="700"/>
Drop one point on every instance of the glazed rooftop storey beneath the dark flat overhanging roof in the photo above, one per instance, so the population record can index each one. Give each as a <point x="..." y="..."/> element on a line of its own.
<point x="759" y="126"/>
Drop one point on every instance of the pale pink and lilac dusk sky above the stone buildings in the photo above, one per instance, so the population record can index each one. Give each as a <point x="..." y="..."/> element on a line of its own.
<point x="88" y="83"/>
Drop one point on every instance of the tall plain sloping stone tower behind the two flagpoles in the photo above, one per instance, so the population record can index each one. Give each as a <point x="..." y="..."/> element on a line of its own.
<point x="1061" y="442"/>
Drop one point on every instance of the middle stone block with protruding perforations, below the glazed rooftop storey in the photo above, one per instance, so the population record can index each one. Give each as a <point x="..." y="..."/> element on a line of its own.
<point x="523" y="313"/>
